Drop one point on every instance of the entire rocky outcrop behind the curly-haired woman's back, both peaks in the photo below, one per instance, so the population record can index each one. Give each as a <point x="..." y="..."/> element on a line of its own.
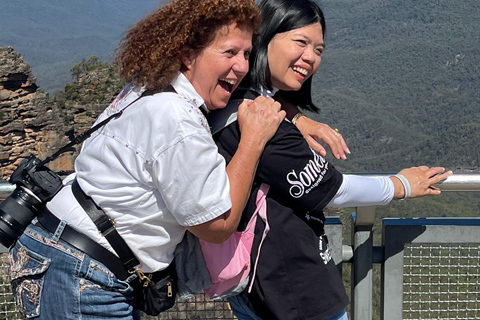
<point x="33" y="123"/>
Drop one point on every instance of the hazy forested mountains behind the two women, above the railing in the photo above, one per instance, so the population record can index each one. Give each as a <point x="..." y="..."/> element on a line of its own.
<point x="399" y="79"/>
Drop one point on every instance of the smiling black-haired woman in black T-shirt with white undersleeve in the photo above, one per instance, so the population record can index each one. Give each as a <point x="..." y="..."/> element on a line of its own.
<point x="296" y="278"/>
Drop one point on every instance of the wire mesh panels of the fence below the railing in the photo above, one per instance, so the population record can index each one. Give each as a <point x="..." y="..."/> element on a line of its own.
<point x="440" y="282"/>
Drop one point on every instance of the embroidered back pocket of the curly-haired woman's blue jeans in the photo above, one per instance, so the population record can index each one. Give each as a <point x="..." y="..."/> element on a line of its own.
<point x="26" y="271"/>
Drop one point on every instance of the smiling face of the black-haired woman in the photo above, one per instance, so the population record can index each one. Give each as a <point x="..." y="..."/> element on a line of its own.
<point x="294" y="56"/>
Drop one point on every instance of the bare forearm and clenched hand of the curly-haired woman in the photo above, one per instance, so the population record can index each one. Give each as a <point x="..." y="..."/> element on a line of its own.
<point x="258" y="121"/>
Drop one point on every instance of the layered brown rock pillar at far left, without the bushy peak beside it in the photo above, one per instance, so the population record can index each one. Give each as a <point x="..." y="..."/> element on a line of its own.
<point x="28" y="124"/>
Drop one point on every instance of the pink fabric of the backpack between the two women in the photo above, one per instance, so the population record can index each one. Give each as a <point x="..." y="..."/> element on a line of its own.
<point x="229" y="262"/>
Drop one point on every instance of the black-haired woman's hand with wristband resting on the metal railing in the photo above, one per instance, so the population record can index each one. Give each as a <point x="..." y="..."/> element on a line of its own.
<point x="421" y="179"/>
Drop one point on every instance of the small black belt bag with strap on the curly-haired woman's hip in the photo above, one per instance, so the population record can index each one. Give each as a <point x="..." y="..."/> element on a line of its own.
<point x="153" y="292"/>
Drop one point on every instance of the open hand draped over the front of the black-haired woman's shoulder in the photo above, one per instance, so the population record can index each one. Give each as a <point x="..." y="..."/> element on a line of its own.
<point x="313" y="131"/>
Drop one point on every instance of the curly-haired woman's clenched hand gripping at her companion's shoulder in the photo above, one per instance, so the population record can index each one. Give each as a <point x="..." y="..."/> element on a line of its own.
<point x="259" y="120"/>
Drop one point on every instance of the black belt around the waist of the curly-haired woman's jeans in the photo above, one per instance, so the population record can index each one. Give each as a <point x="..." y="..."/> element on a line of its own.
<point x="49" y="222"/>
